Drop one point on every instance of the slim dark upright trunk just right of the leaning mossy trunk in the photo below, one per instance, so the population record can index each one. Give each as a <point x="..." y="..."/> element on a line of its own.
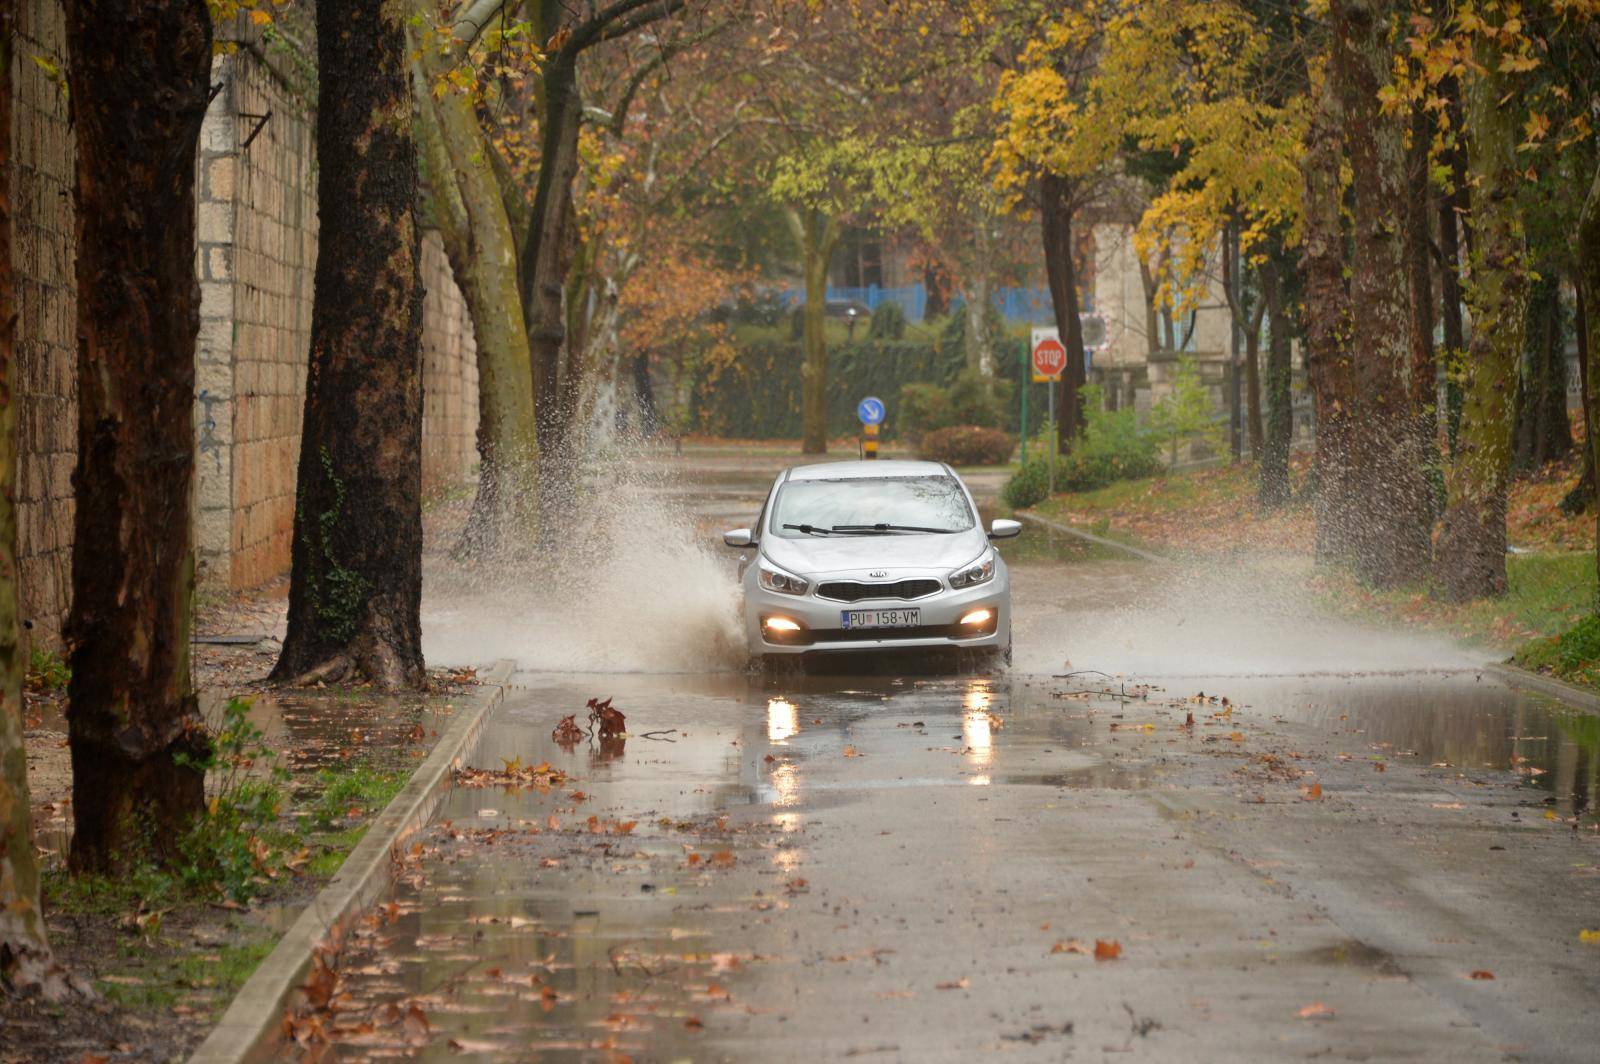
<point x="545" y="286"/>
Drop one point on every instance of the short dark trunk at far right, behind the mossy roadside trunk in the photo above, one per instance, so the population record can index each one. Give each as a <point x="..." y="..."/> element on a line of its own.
<point x="1543" y="431"/>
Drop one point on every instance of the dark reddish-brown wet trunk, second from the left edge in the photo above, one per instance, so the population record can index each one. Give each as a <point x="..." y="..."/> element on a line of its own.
<point x="134" y="721"/>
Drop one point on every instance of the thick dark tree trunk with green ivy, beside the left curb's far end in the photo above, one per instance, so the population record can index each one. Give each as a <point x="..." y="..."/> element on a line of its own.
<point x="356" y="590"/>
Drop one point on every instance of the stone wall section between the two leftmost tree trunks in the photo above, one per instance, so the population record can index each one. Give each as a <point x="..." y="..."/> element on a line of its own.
<point x="42" y="257"/>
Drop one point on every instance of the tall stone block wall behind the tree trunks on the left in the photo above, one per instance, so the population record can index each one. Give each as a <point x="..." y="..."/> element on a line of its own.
<point x="255" y="262"/>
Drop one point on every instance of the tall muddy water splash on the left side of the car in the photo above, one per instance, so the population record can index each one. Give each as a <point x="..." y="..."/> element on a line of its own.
<point x="634" y="585"/>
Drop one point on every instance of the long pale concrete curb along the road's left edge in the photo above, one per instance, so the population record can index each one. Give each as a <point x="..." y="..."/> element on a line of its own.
<point x="252" y="1023"/>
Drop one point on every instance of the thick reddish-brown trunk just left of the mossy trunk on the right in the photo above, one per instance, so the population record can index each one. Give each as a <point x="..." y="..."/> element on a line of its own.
<point x="1390" y="498"/>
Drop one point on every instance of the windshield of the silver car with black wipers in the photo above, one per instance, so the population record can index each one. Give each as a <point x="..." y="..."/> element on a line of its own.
<point x="866" y="505"/>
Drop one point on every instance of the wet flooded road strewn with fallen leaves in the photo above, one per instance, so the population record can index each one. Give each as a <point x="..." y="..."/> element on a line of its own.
<point x="1183" y="828"/>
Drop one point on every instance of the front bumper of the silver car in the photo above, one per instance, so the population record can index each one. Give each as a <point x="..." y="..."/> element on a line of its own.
<point x="823" y="630"/>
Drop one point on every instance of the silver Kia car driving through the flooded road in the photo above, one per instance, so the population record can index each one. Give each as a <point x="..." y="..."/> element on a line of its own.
<point x="873" y="556"/>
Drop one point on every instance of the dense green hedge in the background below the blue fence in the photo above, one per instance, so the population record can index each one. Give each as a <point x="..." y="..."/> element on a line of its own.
<point x="759" y="396"/>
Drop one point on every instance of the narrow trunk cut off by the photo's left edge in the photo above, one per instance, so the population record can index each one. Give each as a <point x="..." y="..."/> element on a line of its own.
<point x="26" y="961"/>
